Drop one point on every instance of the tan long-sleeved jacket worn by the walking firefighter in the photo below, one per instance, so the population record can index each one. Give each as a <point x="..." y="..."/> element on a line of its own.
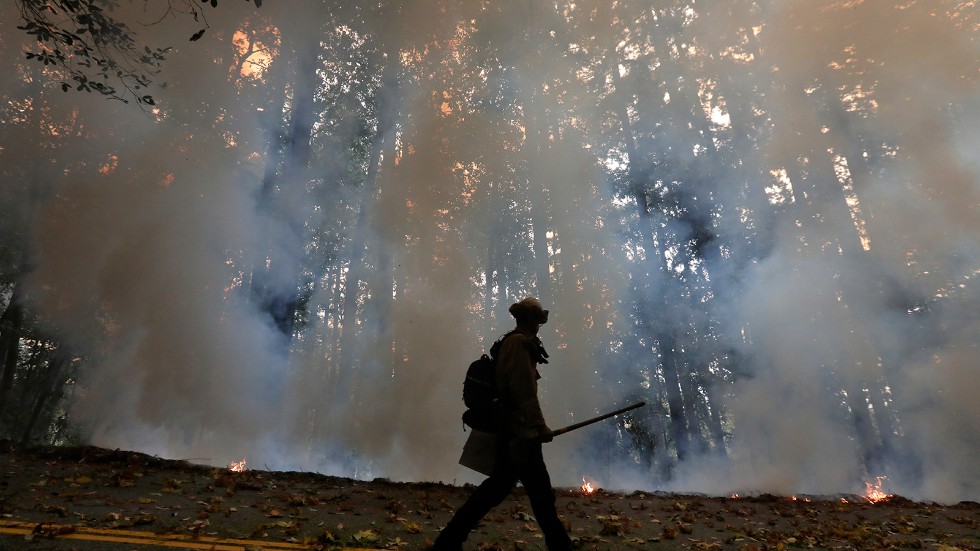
<point x="517" y="382"/>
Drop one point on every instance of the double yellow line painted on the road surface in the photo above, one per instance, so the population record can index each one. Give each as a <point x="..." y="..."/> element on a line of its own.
<point x="147" y="538"/>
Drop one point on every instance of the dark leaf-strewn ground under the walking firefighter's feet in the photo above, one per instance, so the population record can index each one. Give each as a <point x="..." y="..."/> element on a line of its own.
<point x="57" y="491"/>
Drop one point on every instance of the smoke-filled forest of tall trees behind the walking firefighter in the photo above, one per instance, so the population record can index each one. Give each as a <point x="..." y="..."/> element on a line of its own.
<point x="282" y="231"/>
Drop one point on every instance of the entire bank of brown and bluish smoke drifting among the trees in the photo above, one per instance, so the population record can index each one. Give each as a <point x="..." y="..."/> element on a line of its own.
<point x="143" y="271"/>
